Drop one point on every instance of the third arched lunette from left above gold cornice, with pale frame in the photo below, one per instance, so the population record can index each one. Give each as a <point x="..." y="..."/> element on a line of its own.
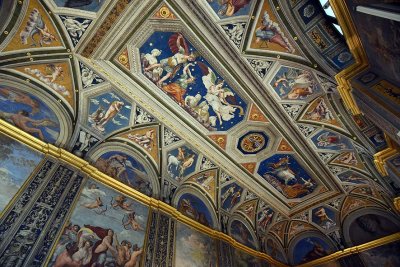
<point x="189" y="201"/>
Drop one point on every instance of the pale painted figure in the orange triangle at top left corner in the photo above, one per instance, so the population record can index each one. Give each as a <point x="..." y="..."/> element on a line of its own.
<point x="36" y="26"/>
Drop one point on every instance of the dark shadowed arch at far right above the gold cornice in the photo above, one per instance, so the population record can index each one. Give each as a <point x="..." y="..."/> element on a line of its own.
<point x="368" y="224"/>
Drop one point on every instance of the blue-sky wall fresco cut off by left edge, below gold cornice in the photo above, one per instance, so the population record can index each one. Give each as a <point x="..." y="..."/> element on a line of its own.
<point x="17" y="162"/>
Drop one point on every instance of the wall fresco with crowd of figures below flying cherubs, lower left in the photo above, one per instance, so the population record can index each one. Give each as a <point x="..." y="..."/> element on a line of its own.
<point x="106" y="228"/>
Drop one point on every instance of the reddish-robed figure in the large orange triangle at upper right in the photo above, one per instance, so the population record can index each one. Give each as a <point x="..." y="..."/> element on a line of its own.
<point x="271" y="32"/>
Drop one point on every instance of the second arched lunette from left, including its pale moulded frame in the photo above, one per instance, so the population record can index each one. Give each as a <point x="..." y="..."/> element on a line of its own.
<point x="124" y="163"/>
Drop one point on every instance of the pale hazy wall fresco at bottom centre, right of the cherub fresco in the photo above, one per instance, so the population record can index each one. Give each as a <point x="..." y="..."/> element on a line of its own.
<point x="194" y="249"/>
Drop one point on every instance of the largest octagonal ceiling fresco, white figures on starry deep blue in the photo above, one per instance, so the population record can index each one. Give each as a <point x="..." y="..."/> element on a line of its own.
<point x="174" y="65"/>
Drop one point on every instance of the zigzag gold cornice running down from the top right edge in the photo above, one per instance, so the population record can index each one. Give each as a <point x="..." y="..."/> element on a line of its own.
<point x="344" y="77"/>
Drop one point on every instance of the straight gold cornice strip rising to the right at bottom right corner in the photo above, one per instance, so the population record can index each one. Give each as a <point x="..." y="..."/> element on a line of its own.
<point x="353" y="250"/>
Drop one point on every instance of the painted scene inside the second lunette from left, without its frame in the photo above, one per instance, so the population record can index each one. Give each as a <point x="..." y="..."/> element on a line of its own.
<point x="125" y="169"/>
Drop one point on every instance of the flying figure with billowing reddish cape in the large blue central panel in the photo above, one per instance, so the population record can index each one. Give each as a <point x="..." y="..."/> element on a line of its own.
<point x="172" y="64"/>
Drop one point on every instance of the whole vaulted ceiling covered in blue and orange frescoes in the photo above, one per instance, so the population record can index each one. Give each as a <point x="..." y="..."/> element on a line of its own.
<point x="228" y="112"/>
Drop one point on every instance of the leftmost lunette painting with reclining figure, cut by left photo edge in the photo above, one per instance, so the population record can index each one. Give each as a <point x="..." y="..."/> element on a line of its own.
<point x="29" y="113"/>
